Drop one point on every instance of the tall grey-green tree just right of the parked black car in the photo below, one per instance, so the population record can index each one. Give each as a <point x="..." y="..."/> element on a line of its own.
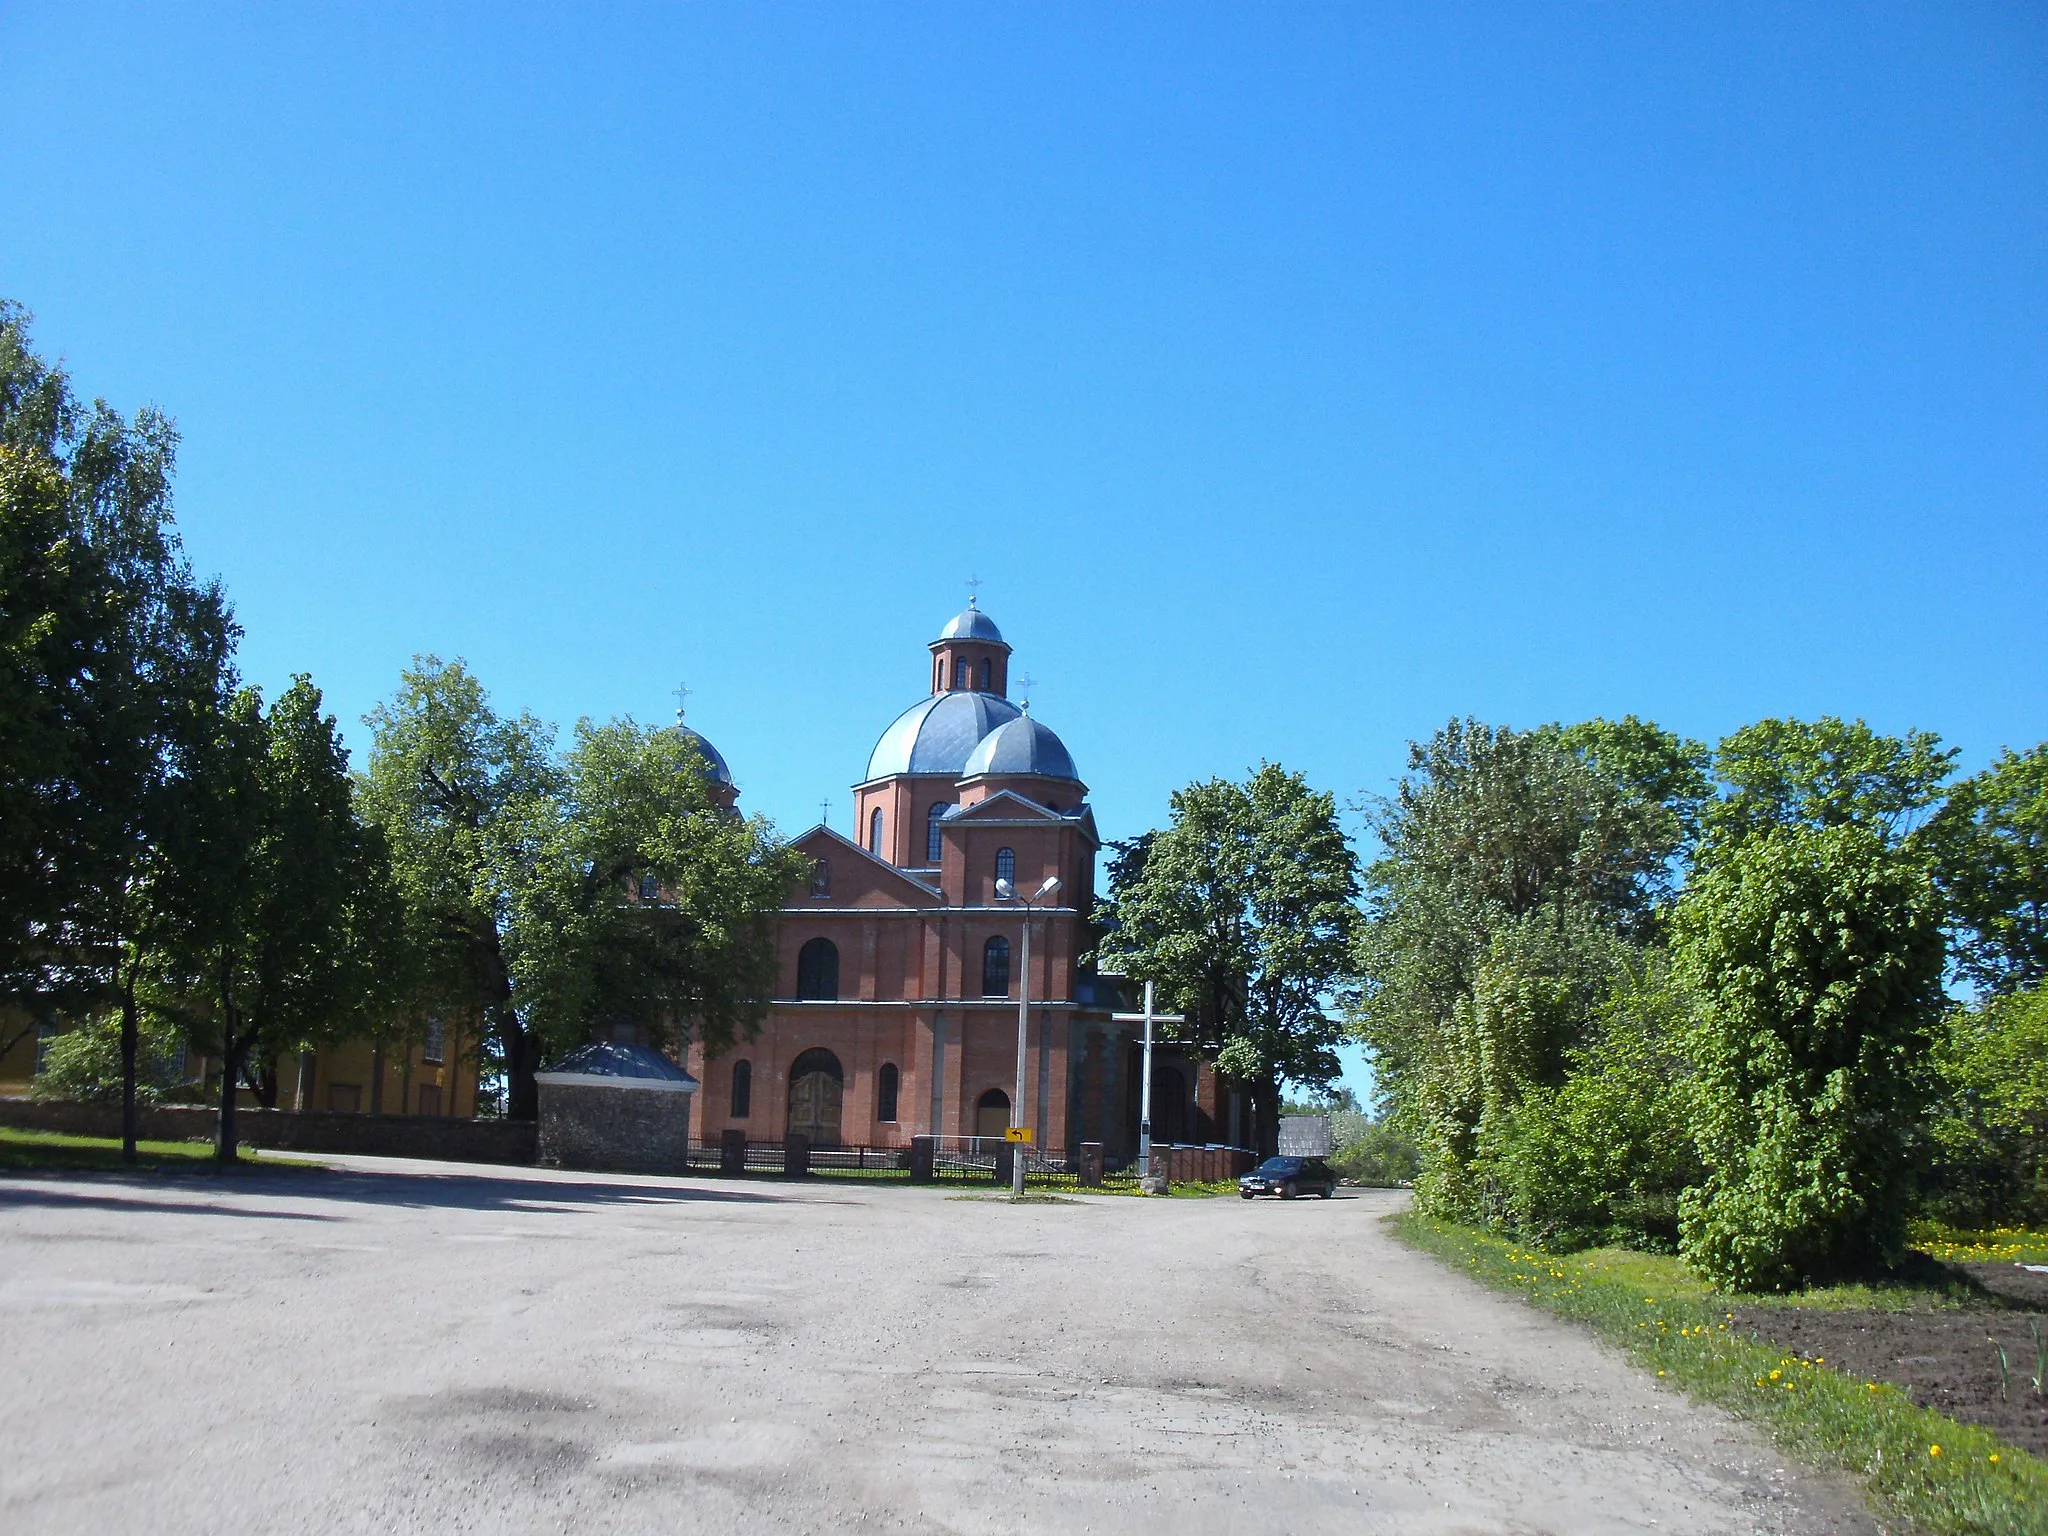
<point x="1517" y="873"/>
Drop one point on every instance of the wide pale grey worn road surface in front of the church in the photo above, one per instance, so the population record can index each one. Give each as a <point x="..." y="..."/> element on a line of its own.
<point x="415" y="1347"/>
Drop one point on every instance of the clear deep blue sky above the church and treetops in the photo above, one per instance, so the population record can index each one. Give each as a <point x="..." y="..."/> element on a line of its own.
<point x="1295" y="378"/>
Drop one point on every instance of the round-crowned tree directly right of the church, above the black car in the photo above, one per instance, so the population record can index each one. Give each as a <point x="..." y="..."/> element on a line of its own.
<point x="1242" y="912"/>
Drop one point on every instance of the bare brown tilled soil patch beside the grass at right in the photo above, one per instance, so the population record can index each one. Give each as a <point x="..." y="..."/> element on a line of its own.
<point x="1947" y="1361"/>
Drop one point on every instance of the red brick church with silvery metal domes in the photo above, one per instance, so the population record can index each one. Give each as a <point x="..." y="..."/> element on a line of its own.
<point x="900" y="962"/>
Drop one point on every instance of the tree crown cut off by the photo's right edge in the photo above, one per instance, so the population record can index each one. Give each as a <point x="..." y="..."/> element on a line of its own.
<point x="1994" y="869"/>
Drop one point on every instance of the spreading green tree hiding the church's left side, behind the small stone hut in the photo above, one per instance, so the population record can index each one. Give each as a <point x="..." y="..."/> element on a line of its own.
<point x="519" y="873"/>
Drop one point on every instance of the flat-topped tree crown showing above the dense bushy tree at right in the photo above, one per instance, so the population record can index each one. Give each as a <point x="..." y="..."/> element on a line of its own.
<point x="1826" y="773"/>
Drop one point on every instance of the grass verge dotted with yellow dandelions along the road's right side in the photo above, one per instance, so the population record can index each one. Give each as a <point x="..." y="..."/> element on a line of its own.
<point x="1943" y="1476"/>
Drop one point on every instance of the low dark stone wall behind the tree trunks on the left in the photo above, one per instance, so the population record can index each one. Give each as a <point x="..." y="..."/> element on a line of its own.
<point x="316" y="1132"/>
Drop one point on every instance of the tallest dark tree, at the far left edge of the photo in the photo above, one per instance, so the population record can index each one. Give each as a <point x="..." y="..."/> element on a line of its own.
<point x="105" y="642"/>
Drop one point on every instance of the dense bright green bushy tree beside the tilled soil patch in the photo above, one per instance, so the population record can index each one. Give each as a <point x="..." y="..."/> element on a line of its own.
<point x="1818" y="962"/>
